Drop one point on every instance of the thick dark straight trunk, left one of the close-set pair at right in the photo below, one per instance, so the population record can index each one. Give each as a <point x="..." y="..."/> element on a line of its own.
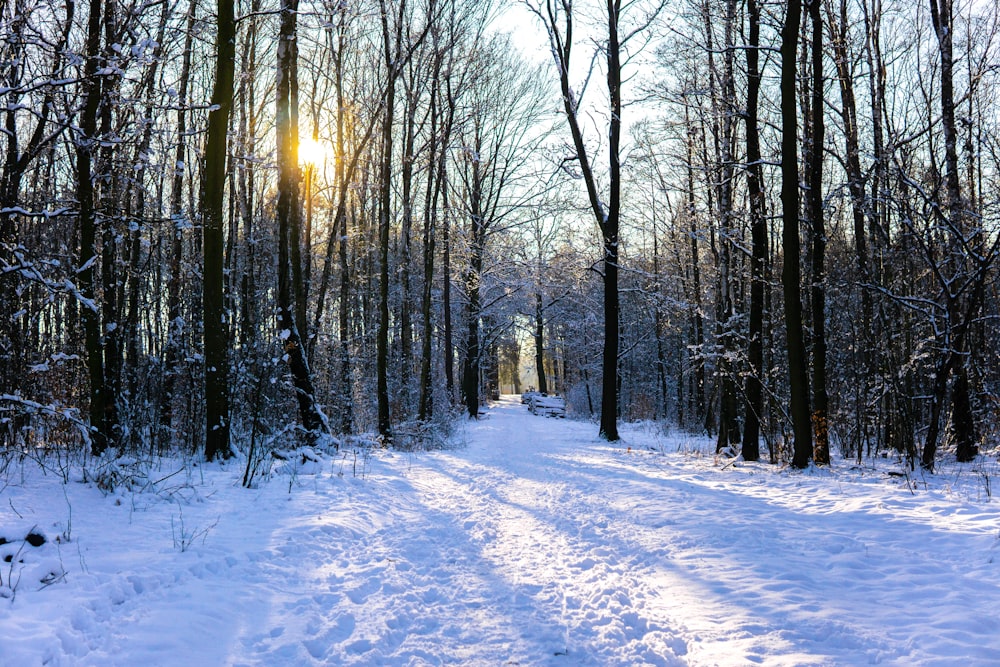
<point x="798" y="379"/>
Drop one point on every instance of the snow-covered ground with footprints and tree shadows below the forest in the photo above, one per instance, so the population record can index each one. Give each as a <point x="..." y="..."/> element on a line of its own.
<point x="532" y="543"/>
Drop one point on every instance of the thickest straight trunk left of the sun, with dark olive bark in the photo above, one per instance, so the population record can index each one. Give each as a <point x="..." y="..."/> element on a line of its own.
<point x="216" y="320"/>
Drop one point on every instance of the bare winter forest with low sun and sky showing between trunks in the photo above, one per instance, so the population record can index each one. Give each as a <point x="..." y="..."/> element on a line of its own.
<point x="234" y="226"/>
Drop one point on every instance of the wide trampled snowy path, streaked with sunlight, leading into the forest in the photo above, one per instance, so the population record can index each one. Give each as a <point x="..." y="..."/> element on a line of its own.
<point x="540" y="544"/>
